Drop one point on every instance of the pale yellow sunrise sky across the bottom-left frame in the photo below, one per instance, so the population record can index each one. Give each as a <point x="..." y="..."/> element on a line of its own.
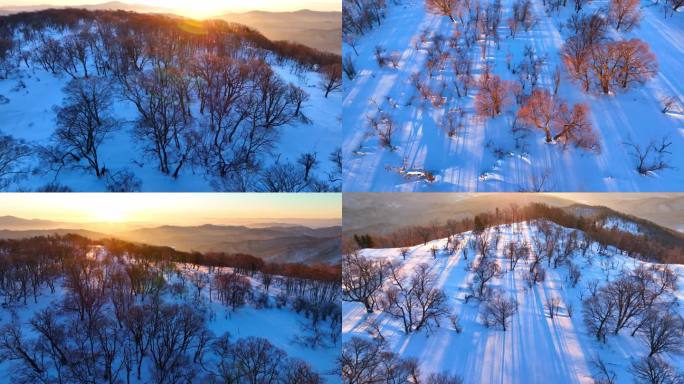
<point x="170" y="208"/>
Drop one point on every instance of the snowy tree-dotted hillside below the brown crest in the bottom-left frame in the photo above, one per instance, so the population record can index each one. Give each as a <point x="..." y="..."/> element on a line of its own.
<point x="196" y="308"/>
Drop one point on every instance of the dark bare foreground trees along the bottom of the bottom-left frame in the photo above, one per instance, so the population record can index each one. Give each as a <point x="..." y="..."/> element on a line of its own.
<point x="170" y="338"/>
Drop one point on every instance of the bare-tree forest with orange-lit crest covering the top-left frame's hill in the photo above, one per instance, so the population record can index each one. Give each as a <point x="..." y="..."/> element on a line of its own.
<point x="206" y="98"/>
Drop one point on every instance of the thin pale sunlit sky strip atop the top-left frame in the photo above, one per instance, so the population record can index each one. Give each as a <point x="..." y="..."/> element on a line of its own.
<point x="201" y="8"/>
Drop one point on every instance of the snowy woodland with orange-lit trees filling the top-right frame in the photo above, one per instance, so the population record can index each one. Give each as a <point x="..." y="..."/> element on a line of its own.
<point x="502" y="95"/>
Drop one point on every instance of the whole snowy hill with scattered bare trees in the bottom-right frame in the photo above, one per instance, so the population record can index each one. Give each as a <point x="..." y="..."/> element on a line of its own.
<point x="547" y="334"/>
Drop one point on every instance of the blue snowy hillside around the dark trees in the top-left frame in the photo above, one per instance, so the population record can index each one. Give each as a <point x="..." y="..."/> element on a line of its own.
<point x="30" y="95"/>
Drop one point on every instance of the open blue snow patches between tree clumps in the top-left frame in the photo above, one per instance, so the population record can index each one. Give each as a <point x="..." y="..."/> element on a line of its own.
<point x="29" y="115"/>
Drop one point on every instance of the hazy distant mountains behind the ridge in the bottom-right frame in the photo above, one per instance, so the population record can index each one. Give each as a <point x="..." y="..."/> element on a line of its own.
<point x="375" y="213"/>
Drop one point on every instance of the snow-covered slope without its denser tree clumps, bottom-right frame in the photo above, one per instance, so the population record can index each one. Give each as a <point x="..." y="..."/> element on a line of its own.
<point x="535" y="347"/>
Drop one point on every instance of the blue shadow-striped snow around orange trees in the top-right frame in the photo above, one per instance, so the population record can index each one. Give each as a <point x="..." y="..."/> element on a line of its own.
<point x="486" y="155"/>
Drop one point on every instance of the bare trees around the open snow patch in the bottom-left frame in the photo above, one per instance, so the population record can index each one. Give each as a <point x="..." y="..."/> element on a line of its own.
<point x="114" y="320"/>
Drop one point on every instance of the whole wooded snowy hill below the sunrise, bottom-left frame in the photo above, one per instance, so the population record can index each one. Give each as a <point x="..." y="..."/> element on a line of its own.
<point x="81" y="311"/>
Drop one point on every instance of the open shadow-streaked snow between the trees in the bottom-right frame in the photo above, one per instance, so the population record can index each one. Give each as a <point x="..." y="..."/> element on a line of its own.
<point x="535" y="348"/>
